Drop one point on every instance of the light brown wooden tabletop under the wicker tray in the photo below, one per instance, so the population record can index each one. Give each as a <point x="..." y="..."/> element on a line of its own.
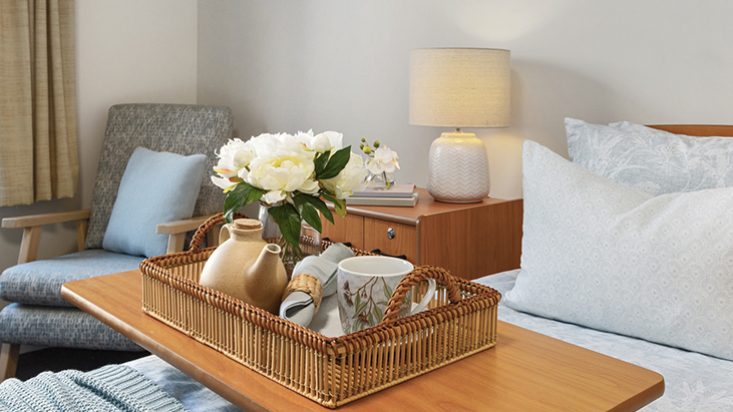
<point x="525" y="371"/>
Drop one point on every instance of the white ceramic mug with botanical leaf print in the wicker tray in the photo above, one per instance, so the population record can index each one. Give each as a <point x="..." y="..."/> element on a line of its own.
<point x="365" y="286"/>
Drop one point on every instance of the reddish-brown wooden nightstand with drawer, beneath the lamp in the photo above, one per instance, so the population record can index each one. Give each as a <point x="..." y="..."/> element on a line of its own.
<point x="470" y="240"/>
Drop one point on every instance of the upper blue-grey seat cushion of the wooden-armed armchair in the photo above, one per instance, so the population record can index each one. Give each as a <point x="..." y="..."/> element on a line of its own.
<point x="39" y="282"/>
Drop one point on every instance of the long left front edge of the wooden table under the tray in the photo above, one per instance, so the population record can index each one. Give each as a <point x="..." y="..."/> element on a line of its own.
<point x="153" y="347"/>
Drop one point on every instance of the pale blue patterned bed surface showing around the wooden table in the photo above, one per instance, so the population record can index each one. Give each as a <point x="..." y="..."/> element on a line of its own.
<point x="693" y="382"/>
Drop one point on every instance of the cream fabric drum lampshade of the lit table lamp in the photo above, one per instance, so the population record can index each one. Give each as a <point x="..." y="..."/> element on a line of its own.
<point x="460" y="87"/>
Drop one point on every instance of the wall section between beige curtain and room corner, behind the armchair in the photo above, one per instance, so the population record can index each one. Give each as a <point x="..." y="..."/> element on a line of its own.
<point x="127" y="51"/>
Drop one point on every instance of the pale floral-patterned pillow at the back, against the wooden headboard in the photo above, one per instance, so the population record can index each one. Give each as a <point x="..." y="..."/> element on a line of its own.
<point x="651" y="160"/>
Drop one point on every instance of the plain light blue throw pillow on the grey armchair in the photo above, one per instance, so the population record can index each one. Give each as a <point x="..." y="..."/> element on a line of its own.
<point x="157" y="187"/>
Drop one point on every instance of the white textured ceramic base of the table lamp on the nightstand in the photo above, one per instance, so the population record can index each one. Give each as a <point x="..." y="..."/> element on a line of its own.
<point x="459" y="168"/>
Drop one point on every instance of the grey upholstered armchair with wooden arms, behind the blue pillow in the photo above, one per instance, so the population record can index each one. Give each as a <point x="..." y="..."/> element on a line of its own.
<point x="38" y="315"/>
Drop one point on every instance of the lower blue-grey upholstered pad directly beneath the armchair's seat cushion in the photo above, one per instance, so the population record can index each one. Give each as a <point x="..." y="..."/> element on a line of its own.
<point x="58" y="327"/>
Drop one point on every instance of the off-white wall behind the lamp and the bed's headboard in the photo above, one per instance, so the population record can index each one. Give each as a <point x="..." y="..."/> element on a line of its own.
<point x="343" y="65"/>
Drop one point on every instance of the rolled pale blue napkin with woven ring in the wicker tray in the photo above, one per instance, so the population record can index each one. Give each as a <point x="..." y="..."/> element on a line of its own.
<point x="313" y="279"/>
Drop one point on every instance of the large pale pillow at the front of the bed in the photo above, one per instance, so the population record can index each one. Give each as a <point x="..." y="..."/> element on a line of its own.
<point x="613" y="258"/>
